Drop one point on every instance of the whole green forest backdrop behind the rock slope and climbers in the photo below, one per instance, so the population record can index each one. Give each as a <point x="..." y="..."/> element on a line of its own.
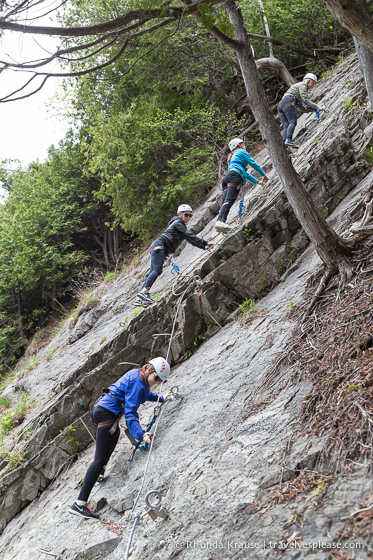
<point x="149" y="132"/>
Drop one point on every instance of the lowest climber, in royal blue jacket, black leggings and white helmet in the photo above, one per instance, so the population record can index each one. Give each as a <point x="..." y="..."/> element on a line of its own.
<point x="122" y="397"/>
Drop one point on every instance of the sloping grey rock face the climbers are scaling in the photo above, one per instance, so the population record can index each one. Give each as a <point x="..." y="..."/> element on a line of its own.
<point x="220" y="447"/>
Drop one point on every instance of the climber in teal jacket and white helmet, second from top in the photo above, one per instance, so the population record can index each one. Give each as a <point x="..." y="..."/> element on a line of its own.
<point x="236" y="178"/>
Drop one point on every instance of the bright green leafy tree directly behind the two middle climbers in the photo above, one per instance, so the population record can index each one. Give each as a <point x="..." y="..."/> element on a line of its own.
<point x="148" y="159"/>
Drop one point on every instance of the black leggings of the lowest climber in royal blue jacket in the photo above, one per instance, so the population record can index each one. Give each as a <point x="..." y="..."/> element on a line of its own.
<point x="105" y="445"/>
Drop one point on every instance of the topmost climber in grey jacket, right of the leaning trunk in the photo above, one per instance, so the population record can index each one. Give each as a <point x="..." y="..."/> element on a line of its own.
<point x="296" y="96"/>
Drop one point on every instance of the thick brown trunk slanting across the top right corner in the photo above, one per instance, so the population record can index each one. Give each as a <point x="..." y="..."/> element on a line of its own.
<point x="352" y="17"/>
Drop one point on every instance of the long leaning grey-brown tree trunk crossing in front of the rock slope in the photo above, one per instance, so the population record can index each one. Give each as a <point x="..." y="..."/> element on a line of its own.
<point x="329" y="246"/>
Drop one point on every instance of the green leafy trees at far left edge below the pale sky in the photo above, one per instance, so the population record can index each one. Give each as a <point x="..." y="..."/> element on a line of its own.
<point x="41" y="222"/>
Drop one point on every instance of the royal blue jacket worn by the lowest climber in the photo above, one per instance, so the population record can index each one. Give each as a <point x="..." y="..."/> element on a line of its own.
<point x="130" y="390"/>
